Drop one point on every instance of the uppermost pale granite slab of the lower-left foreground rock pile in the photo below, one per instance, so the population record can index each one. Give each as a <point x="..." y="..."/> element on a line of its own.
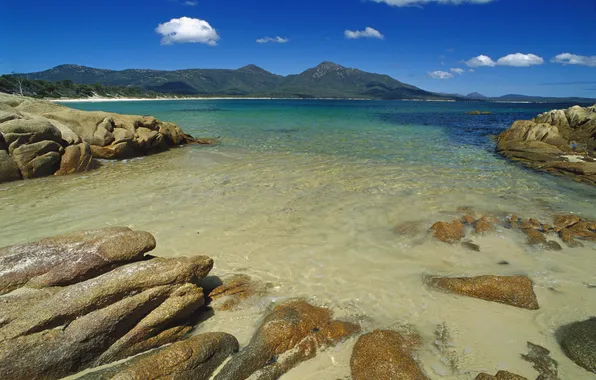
<point x="66" y="259"/>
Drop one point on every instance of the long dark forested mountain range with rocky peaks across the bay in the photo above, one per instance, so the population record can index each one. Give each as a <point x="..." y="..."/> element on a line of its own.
<point x="327" y="80"/>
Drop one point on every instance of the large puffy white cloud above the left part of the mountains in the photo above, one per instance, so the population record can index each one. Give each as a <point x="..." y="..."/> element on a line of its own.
<point x="187" y="30"/>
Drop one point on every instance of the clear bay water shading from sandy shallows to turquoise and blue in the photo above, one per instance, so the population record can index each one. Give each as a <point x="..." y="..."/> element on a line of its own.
<point x="306" y="195"/>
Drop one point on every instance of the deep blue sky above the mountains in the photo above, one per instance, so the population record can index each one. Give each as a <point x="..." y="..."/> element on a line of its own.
<point x="414" y="41"/>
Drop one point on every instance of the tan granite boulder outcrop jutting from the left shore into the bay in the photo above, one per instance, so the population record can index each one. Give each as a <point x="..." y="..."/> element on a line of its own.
<point x="40" y="138"/>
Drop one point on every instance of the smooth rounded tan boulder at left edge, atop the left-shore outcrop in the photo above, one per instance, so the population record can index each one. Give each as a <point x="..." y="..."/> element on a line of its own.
<point x="24" y="131"/>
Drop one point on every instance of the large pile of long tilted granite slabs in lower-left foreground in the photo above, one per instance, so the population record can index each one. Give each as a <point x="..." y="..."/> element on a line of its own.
<point x="93" y="298"/>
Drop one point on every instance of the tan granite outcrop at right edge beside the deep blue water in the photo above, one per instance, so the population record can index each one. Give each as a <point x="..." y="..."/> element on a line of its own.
<point x="559" y="142"/>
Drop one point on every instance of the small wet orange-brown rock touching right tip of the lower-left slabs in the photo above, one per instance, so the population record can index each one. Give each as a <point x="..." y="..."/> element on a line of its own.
<point x="233" y="291"/>
